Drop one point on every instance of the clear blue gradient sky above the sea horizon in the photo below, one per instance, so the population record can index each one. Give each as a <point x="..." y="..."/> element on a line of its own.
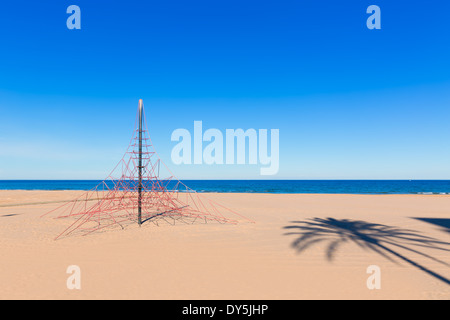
<point x="350" y="103"/>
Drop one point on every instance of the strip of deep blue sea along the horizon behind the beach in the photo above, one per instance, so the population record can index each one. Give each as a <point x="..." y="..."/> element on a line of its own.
<point x="263" y="186"/>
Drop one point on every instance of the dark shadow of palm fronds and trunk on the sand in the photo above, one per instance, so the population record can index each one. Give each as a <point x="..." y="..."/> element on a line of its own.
<point x="379" y="238"/>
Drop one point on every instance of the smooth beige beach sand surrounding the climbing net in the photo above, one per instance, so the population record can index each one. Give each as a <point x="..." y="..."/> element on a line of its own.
<point x="246" y="261"/>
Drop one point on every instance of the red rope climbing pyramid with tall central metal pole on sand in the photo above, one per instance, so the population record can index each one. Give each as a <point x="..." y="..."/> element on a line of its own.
<point x="141" y="189"/>
